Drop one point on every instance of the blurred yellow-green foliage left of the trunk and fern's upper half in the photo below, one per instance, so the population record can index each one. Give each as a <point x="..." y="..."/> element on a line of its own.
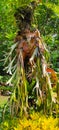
<point x="7" y="28"/>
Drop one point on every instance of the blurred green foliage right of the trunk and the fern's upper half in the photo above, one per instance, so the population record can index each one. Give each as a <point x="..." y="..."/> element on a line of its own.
<point x="47" y="20"/>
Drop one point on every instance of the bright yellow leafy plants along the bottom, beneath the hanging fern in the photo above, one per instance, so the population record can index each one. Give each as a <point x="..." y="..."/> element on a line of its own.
<point x="37" y="122"/>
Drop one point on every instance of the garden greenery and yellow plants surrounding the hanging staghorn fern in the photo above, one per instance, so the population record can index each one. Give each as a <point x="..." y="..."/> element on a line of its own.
<point x="46" y="19"/>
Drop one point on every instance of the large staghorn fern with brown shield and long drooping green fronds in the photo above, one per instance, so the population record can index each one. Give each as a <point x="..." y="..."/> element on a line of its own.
<point x="33" y="66"/>
